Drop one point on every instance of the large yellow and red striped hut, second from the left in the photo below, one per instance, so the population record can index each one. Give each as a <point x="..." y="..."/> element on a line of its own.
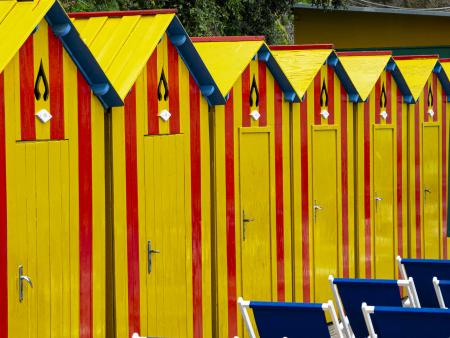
<point x="159" y="168"/>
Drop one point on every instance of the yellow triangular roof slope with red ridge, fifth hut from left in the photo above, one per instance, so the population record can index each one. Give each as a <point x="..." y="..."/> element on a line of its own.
<point x="364" y="69"/>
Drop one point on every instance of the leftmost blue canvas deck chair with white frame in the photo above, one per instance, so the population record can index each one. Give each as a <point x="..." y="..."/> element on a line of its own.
<point x="291" y="320"/>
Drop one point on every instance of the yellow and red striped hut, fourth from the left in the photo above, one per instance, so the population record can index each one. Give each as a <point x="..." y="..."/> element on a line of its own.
<point x="322" y="168"/>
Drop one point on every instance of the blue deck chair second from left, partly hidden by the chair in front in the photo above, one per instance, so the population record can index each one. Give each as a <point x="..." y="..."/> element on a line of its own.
<point x="350" y="293"/>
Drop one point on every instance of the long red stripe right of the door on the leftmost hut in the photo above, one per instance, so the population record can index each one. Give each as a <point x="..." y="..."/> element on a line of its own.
<point x="85" y="205"/>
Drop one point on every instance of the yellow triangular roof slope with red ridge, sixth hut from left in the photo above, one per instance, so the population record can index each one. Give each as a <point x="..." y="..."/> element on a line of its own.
<point x="416" y="70"/>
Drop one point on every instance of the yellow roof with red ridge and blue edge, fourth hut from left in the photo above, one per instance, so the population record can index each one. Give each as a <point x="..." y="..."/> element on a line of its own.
<point x="301" y="63"/>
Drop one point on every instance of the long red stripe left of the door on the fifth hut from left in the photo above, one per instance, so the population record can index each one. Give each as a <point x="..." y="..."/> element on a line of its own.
<point x="367" y="222"/>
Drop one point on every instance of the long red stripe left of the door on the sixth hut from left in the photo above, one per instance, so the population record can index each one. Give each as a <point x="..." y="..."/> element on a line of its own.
<point x="417" y="177"/>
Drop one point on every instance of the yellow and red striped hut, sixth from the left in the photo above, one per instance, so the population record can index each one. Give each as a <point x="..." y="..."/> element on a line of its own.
<point x="427" y="154"/>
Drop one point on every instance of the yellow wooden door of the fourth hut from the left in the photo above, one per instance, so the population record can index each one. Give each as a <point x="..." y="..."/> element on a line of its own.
<point x="325" y="220"/>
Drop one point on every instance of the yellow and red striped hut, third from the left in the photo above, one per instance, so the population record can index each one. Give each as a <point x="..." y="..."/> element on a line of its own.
<point x="251" y="177"/>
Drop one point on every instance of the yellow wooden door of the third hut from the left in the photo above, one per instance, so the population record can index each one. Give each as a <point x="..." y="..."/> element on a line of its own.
<point x="255" y="197"/>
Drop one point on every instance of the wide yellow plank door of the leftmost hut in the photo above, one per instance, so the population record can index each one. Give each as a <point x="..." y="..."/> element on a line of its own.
<point x="39" y="236"/>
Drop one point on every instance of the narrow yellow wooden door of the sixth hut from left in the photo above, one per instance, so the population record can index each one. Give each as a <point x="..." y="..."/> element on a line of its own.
<point x="430" y="190"/>
